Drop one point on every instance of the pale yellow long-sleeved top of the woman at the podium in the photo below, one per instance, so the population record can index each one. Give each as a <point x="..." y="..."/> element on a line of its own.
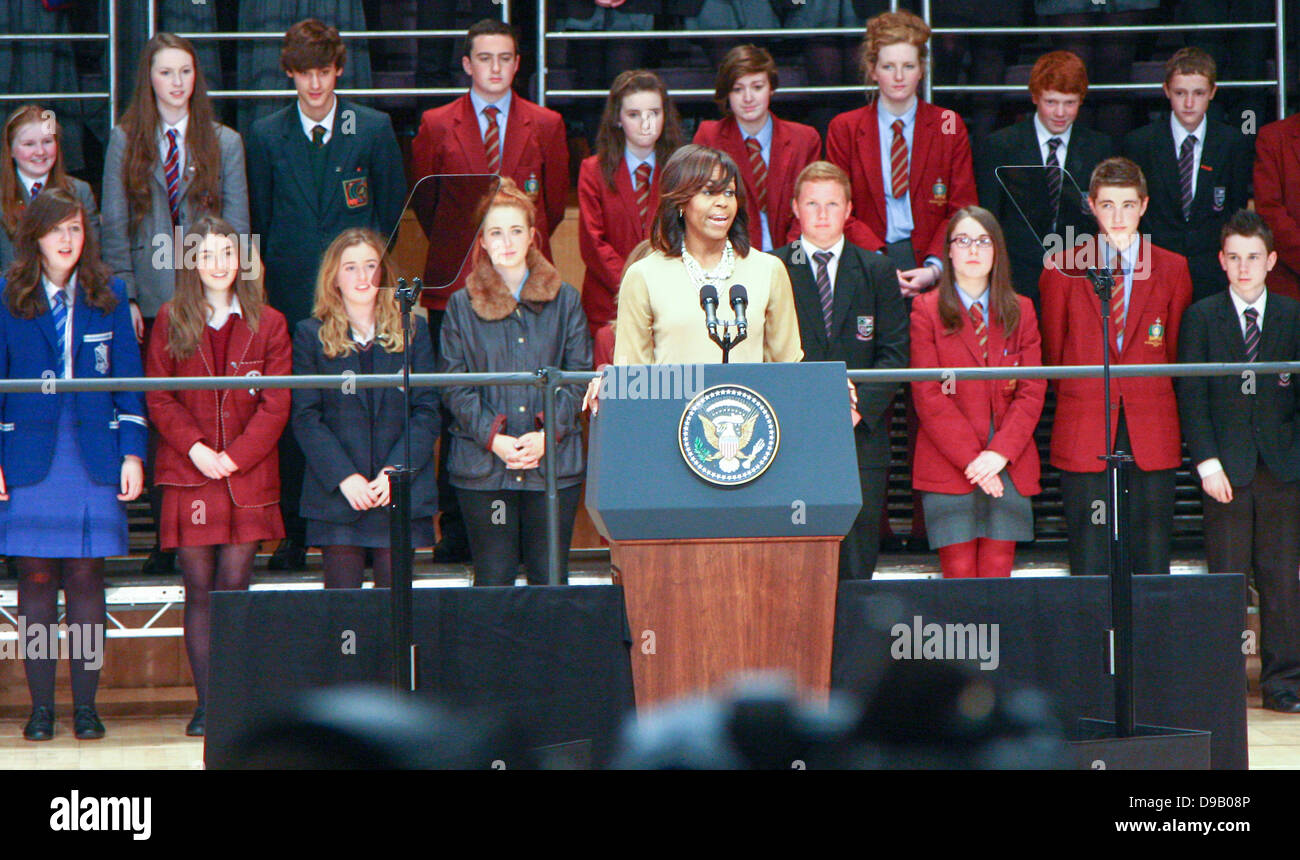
<point x="661" y="322"/>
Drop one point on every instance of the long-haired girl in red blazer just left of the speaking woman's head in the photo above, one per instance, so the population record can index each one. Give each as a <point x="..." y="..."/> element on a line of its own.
<point x="618" y="189"/>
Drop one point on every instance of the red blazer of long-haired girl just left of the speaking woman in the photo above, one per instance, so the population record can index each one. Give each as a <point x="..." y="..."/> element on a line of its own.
<point x="610" y="227"/>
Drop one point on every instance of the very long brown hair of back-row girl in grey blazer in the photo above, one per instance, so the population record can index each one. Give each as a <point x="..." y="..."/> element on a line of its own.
<point x="141" y="124"/>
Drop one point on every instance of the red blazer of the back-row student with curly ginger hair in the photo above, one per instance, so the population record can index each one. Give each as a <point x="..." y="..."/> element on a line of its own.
<point x="941" y="176"/>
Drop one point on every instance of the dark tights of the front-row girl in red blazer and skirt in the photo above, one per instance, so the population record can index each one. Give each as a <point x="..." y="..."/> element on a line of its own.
<point x="206" y="571"/>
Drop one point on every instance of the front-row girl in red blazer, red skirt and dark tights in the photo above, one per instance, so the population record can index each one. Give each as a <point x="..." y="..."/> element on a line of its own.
<point x="218" y="462"/>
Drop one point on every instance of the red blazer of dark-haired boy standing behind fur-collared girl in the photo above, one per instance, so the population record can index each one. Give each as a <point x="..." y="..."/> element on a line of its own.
<point x="535" y="151"/>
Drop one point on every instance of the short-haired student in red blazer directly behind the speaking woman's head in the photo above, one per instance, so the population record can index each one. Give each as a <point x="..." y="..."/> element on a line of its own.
<point x="769" y="151"/>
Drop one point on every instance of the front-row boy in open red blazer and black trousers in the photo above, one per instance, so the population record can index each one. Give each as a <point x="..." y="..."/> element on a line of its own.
<point x="1151" y="297"/>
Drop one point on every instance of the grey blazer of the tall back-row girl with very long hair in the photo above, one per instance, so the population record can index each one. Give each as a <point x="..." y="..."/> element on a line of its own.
<point x="145" y="259"/>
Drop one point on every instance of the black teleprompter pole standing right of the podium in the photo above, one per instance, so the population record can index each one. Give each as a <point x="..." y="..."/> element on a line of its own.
<point x="1119" y="463"/>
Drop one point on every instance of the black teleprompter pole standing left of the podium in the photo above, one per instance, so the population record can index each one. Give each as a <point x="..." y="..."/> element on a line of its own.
<point x="400" y="512"/>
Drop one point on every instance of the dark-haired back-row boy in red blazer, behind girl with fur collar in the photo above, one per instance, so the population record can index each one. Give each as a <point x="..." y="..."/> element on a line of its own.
<point x="525" y="142"/>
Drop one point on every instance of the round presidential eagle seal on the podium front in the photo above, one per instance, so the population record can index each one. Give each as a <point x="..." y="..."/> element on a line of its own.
<point x="729" y="436"/>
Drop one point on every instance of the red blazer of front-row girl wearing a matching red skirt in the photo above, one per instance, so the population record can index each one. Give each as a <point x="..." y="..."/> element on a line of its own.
<point x="242" y="423"/>
